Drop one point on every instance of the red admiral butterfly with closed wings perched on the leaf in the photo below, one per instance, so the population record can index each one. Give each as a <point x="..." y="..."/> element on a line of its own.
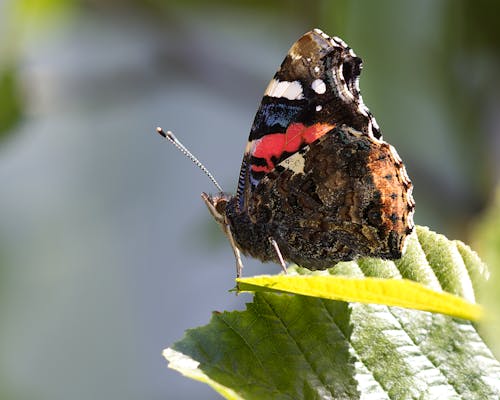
<point x="317" y="183"/>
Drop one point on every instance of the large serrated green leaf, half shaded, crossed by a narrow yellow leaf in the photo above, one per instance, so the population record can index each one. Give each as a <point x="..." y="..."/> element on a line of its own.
<point x="287" y="346"/>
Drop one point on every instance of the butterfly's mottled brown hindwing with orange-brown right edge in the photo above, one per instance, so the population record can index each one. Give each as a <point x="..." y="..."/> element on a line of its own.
<point x="344" y="196"/>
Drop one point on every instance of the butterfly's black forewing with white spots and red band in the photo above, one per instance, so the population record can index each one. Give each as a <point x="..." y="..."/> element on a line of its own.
<point x="314" y="90"/>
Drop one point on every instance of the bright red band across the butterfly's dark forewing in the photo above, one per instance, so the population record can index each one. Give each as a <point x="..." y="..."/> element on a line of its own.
<point x="297" y="135"/>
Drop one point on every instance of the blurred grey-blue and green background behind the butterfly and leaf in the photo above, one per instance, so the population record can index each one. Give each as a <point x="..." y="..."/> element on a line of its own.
<point x="107" y="254"/>
